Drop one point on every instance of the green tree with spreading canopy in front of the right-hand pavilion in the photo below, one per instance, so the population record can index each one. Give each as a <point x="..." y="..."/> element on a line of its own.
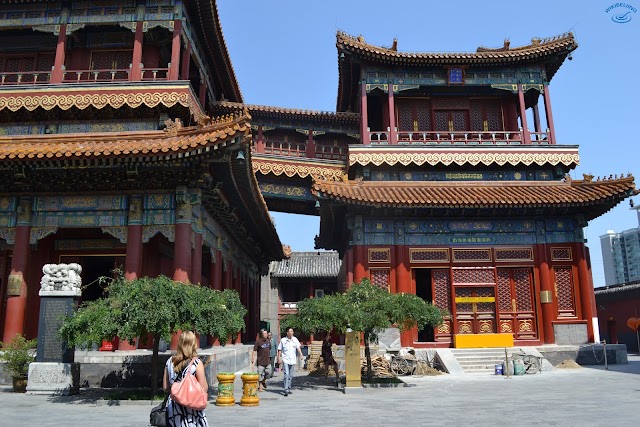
<point x="366" y="308"/>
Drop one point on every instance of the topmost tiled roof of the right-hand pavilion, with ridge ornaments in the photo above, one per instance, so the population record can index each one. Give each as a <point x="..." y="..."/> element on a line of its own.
<point x="537" y="45"/>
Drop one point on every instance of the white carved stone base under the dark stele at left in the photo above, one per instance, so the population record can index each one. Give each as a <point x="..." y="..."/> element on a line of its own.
<point x="53" y="378"/>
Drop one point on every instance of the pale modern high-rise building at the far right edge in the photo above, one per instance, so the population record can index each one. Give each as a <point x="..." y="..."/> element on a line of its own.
<point x="621" y="255"/>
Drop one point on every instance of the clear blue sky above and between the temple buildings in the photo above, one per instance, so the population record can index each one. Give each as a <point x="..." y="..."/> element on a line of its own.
<point x="283" y="53"/>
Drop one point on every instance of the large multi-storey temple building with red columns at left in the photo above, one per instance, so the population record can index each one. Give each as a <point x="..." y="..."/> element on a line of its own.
<point x="108" y="157"/>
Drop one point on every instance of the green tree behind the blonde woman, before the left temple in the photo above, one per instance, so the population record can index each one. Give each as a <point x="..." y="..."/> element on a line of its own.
<point x="158" y="306"/>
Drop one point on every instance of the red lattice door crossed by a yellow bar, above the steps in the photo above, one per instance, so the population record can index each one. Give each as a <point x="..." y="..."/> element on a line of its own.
<point x="475" y="307"/>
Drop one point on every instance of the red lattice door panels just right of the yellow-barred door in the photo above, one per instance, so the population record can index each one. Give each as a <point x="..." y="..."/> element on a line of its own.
<point x="516" y="305"/>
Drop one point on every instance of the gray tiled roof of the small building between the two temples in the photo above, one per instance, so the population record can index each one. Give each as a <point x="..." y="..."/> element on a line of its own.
<point x="308" y="264"/>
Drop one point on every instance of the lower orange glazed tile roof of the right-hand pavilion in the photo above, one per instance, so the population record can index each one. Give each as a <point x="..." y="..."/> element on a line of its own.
<point x="477" y="194"/>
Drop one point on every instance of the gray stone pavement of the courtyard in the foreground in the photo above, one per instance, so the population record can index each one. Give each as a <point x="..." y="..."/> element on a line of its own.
<point x="590" y="396"/>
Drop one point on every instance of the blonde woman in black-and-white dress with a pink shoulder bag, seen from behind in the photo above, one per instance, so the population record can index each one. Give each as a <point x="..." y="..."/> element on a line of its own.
<point x="176" y="369"/>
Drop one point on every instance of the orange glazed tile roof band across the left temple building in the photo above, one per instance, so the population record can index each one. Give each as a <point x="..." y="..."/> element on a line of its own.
<point x="118" y="144"/>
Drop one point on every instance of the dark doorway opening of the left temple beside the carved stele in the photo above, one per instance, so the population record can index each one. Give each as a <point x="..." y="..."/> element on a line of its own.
<point x="94" y="267"/>
